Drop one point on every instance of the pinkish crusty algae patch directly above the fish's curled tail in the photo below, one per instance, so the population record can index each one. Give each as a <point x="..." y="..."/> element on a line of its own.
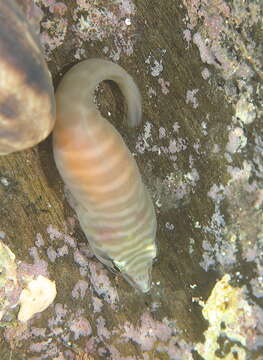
<point x="92" y="21"/>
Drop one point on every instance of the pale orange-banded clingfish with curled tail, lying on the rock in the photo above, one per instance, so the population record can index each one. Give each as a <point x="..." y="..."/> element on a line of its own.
<point x="113" y="205"/>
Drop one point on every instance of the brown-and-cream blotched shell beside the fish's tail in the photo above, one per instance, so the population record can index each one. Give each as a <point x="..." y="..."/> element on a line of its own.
<point x="27" y="101"/>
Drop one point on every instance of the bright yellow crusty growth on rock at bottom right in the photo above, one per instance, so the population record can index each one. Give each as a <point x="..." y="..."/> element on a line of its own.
<point x="228" y="314"/>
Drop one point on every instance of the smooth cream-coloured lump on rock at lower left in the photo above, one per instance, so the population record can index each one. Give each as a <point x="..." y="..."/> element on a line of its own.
<point x="36" y="297"/>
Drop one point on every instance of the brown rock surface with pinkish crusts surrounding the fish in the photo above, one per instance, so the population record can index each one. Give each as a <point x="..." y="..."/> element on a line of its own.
<point x="198" y="65"/>
